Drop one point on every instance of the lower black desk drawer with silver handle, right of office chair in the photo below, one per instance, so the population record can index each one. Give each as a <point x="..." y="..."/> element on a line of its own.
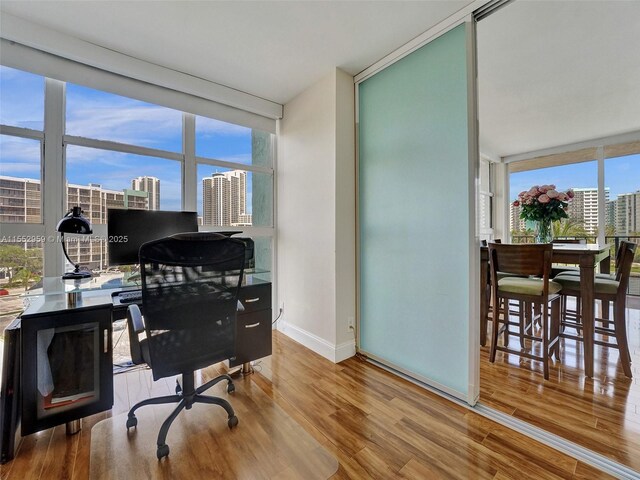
<point x="253" y="336"/>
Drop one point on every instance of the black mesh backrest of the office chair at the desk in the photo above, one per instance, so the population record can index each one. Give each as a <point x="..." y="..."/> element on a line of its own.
<point x="190" y="285"/>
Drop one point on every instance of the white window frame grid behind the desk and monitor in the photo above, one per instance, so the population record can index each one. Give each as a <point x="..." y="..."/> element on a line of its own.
<point x="54" y="141"/>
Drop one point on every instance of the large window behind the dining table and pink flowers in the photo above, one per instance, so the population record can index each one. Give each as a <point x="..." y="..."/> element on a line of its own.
<point x="603" y="209"/>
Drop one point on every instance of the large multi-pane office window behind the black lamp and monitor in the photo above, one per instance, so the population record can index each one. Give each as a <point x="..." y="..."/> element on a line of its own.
<point x="119" y="152"/>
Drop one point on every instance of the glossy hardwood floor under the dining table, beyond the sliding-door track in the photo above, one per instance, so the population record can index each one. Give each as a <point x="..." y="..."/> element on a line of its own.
<point x="602" y="414"/>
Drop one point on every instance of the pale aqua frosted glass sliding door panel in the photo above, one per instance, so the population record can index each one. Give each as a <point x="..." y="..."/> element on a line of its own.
<point x="417" y="167"/>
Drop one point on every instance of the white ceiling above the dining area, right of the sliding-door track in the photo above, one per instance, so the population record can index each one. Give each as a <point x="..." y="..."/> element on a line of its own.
<point x="558" y="72"/>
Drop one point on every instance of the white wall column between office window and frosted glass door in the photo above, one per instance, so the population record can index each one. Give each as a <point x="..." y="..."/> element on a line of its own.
<point x="316" y="217"/>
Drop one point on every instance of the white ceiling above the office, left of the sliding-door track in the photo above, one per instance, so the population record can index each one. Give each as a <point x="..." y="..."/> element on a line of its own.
<point x="271" y="49"/>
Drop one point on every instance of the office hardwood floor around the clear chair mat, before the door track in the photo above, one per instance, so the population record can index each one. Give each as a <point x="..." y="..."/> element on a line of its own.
<point x="377" y="425"/>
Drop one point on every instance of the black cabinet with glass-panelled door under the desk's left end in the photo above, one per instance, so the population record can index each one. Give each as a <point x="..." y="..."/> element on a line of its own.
<point x="67" y="366"/>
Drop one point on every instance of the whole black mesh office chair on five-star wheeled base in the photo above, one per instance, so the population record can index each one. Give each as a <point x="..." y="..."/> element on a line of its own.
<point x="190" y="285"/>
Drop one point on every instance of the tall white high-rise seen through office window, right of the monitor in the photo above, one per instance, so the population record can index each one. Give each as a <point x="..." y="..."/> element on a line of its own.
<point x="224" y="199"/>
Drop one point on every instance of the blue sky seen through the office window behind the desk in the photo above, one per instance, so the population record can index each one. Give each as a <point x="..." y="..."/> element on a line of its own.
<point x="104" y="116"/>
